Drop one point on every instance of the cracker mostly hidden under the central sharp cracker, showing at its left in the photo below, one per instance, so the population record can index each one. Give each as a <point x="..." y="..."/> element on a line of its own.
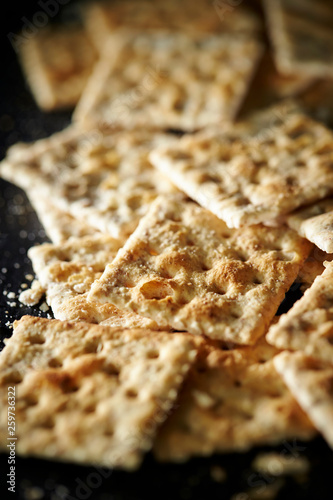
<point x="67" y="271"/>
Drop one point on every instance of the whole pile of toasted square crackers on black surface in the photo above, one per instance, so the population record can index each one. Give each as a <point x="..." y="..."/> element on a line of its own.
<point x="176" y="230"/>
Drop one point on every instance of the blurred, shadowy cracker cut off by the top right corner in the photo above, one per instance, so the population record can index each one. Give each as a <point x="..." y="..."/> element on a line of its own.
<point x="301" y="33"/>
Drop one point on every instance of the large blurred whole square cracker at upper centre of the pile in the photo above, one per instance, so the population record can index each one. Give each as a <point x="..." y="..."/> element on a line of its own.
<point x="143" y="79"/>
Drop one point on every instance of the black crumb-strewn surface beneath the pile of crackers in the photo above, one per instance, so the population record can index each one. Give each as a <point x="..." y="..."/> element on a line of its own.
<point x="38" y="479"/>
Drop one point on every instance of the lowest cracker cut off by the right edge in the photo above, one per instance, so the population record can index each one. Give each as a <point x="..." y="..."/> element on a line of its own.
<point x="310" y="380"/>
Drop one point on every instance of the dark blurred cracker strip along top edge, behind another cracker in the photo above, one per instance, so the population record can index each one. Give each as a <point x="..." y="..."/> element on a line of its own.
<point x="104" y="18"/>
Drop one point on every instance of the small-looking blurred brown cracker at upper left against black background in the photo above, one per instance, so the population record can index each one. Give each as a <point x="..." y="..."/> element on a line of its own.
<point x="57" y="64"/>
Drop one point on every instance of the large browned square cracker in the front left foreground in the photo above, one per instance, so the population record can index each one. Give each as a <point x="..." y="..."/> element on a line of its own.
<point x="89" y="394"/>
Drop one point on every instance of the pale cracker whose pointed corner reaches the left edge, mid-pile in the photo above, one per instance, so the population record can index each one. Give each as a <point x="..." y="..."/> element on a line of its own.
<point x="101" y="176"/>
